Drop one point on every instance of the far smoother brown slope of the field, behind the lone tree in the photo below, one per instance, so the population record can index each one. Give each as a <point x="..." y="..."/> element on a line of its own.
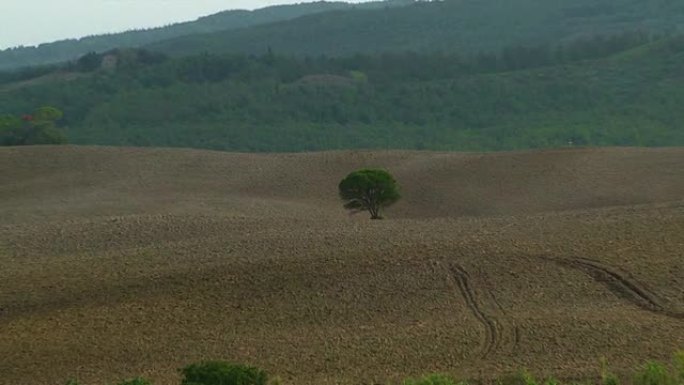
<point x="435" y="185"/>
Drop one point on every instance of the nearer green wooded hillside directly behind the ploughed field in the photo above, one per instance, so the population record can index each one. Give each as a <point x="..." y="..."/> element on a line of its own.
<point x="627" y="90"/>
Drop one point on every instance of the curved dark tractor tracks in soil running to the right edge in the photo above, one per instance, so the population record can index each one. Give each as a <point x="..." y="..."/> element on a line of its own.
<point x="620" y="284"/>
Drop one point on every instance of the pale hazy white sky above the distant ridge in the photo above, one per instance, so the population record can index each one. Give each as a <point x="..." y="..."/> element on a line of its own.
<point x="30" y="22"/>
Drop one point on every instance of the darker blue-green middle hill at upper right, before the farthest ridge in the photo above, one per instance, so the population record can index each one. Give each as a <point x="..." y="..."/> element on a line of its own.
<point x="453" y="26"/>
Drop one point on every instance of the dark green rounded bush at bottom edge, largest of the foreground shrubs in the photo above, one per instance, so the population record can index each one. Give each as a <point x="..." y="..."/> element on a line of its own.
<point x="222" y="373"/>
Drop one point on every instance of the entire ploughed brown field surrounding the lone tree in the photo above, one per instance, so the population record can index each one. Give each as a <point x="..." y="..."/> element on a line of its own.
<point x="118" y="262"/>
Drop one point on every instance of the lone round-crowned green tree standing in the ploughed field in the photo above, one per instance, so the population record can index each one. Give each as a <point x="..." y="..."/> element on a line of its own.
<point x="369" y="190"/>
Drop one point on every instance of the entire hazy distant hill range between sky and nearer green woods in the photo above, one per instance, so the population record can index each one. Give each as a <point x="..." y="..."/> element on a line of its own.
<point x="397" y="26"/>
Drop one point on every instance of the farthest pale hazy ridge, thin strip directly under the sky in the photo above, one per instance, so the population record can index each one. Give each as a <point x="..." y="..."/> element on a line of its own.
<point x="225" y="21"/>
